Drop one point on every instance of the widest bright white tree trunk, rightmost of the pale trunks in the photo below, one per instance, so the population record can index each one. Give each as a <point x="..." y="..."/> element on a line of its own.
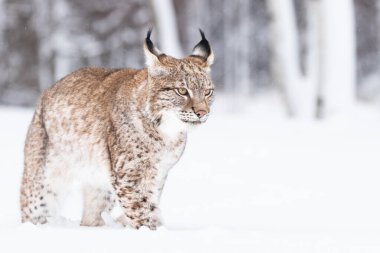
<point x="338" y="71"/>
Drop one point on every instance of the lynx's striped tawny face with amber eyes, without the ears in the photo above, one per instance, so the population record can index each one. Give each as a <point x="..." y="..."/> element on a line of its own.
<point x="186" y="90"/>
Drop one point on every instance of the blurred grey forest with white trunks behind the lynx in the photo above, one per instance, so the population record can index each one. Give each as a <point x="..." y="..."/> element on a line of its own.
<point x="317" y="54"/>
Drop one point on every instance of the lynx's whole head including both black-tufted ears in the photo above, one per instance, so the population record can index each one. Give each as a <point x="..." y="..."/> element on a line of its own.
<point x="180" y="88"/>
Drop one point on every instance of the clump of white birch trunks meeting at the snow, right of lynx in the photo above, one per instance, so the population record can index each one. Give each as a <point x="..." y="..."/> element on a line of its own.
<point x="330" y="82"/>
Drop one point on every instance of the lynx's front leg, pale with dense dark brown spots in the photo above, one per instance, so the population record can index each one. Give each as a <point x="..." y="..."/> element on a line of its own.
<point x="136" y="186"/>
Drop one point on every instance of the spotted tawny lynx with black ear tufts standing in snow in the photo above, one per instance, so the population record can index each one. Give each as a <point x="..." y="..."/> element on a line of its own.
<point x="117" y="132"/>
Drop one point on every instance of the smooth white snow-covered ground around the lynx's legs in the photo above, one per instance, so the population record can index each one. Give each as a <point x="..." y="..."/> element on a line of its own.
<point x="250" y="180"/>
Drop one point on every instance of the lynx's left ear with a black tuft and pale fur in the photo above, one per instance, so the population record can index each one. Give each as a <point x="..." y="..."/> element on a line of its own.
<point x="152" y="56"/>
